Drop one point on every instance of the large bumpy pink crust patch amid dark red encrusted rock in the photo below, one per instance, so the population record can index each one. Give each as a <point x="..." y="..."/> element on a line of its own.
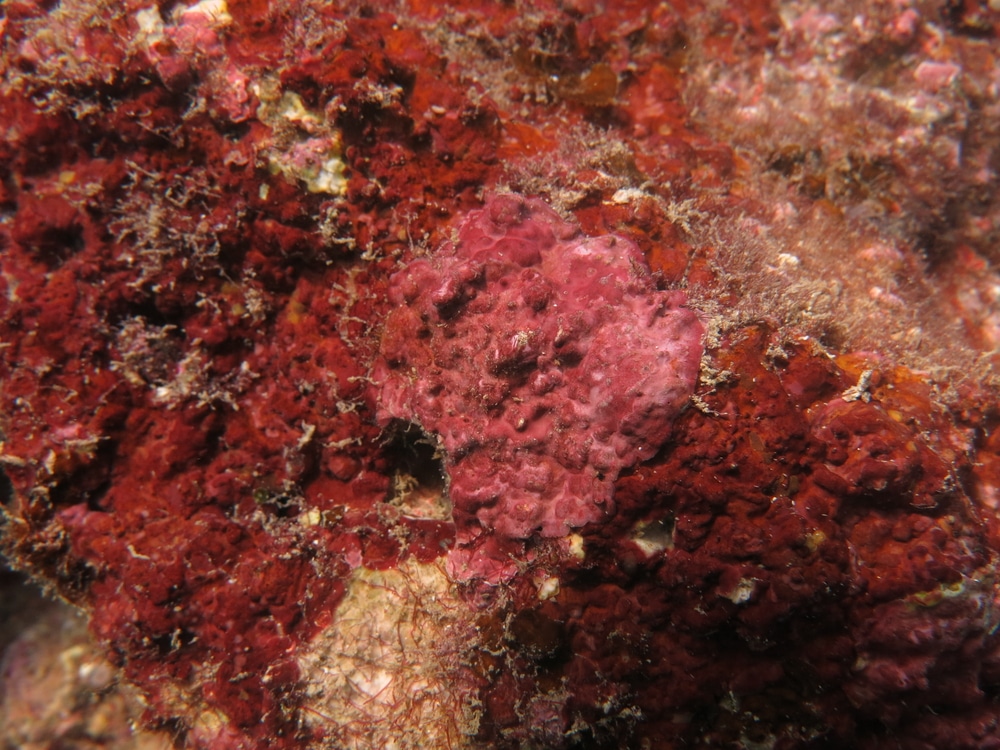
<point x="545" y="362"/>
